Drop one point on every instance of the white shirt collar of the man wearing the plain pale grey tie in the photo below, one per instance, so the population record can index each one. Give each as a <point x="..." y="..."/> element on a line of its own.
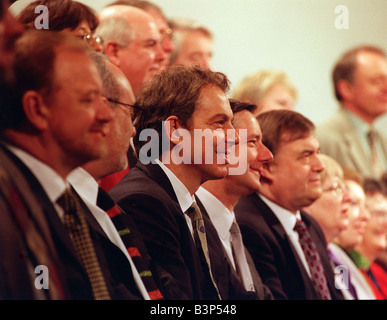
<point x="220" y="216"/>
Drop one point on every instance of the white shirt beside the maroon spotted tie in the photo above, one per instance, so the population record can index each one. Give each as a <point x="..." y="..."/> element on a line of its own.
<point x="288" y="221"/>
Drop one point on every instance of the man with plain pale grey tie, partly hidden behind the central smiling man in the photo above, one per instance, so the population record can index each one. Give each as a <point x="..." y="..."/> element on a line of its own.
<point x="219" y="197"/>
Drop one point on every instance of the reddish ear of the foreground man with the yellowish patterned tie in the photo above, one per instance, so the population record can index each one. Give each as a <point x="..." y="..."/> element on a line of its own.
<point x="35" y="109"/>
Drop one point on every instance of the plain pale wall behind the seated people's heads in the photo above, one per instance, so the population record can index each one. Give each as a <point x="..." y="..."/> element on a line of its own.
<point x="297" y="36"/>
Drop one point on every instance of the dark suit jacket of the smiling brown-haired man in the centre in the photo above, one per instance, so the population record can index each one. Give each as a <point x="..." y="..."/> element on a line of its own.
<point x="147" y="195"/>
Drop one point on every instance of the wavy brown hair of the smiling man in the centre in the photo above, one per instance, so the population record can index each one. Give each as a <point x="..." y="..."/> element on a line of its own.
<point x="174" y="91"/>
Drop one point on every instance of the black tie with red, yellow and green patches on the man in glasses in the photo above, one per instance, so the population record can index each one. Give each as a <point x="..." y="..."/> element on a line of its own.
<point x="128" y="233"/>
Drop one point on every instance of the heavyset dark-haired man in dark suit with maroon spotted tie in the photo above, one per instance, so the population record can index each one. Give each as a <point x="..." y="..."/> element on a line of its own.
<point x="268" y="218"/>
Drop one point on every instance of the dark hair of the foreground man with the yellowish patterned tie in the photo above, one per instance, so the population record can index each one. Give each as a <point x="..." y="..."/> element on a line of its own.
<point x="35" y="54"/>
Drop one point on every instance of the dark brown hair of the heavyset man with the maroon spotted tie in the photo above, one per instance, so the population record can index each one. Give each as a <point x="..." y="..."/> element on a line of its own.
<point x="280" y="126"/>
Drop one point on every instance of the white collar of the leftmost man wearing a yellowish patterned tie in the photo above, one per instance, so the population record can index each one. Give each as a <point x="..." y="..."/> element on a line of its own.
<point x="51" y="182"/>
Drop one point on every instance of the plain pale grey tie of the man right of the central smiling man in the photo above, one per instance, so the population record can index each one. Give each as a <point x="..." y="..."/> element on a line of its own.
<point x="238" y="251"/>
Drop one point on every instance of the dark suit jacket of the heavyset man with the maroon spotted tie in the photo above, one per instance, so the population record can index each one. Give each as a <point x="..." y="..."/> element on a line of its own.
<point x="274" y="255"/>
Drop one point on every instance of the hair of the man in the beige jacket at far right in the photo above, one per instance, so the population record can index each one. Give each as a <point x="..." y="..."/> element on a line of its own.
<point x="345" y="66"/>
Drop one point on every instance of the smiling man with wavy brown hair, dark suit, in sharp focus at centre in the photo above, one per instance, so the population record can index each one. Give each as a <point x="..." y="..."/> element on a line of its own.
<point x="159" y="191"/>
